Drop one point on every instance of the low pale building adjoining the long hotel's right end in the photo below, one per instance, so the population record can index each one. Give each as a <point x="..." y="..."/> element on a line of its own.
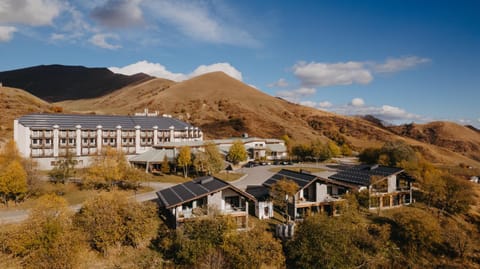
<point x="257" y="148"/>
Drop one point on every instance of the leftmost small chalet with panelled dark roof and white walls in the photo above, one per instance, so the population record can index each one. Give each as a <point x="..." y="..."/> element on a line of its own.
<point x="201" y="197"/>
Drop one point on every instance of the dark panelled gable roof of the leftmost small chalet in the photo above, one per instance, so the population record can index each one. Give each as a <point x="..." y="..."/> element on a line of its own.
<point x="194" y="189"/>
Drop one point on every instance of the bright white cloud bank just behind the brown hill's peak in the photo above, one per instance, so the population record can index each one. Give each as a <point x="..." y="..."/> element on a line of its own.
<point x="158" y="70"/>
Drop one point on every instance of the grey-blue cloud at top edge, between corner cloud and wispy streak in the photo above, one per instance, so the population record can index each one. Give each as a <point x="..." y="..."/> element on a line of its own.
<point x="119" y="13"/>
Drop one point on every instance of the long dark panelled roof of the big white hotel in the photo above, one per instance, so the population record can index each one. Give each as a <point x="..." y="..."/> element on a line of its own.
<point x="65" y="121"/>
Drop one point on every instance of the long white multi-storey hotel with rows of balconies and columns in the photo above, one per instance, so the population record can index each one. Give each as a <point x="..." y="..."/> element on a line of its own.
<point x="46" y="137"/>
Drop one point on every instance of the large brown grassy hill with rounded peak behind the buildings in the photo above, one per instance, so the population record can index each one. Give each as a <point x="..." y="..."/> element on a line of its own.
<point x="224" y="107"/>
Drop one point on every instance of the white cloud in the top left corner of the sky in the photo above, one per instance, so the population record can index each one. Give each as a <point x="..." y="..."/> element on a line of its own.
<point x="29" y="12"/>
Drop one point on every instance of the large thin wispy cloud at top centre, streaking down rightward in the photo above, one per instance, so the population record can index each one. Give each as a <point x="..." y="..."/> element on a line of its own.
<point x="200" y="21"/>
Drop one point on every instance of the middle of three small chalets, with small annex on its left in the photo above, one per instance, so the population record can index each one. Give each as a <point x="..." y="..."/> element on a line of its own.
<point x="315" y="194"/>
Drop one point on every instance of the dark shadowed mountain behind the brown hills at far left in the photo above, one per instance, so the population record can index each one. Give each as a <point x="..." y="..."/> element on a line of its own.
<point x="59" y="82"/>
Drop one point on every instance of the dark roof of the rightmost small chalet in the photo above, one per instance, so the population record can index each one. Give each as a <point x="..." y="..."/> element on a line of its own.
<point x="362" y="174"/>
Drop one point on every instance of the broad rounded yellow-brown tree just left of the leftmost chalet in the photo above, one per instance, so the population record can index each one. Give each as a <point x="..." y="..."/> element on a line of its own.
<point x="111" y="219"/>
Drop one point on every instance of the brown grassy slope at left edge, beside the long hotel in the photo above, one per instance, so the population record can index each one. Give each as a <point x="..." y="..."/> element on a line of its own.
<point x="15" y="103"/>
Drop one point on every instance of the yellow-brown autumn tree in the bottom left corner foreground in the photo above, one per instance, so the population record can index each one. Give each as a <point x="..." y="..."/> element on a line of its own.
<point x="47" y="238"/>
